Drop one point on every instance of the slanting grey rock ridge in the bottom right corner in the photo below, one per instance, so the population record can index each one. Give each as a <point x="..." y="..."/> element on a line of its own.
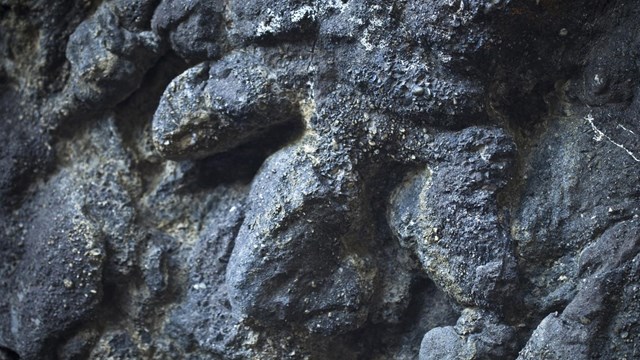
<point x="604" y="265"/>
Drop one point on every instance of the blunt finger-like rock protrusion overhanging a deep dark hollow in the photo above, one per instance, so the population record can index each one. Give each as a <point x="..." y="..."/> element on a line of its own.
<point x="212" y="108"/>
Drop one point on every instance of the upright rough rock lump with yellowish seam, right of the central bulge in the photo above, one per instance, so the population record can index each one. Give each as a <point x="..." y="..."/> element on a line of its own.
<point x="448" y="213"/>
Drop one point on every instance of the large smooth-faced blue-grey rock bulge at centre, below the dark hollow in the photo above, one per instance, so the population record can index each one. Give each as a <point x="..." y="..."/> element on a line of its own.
<point x="297" y="257"/>
